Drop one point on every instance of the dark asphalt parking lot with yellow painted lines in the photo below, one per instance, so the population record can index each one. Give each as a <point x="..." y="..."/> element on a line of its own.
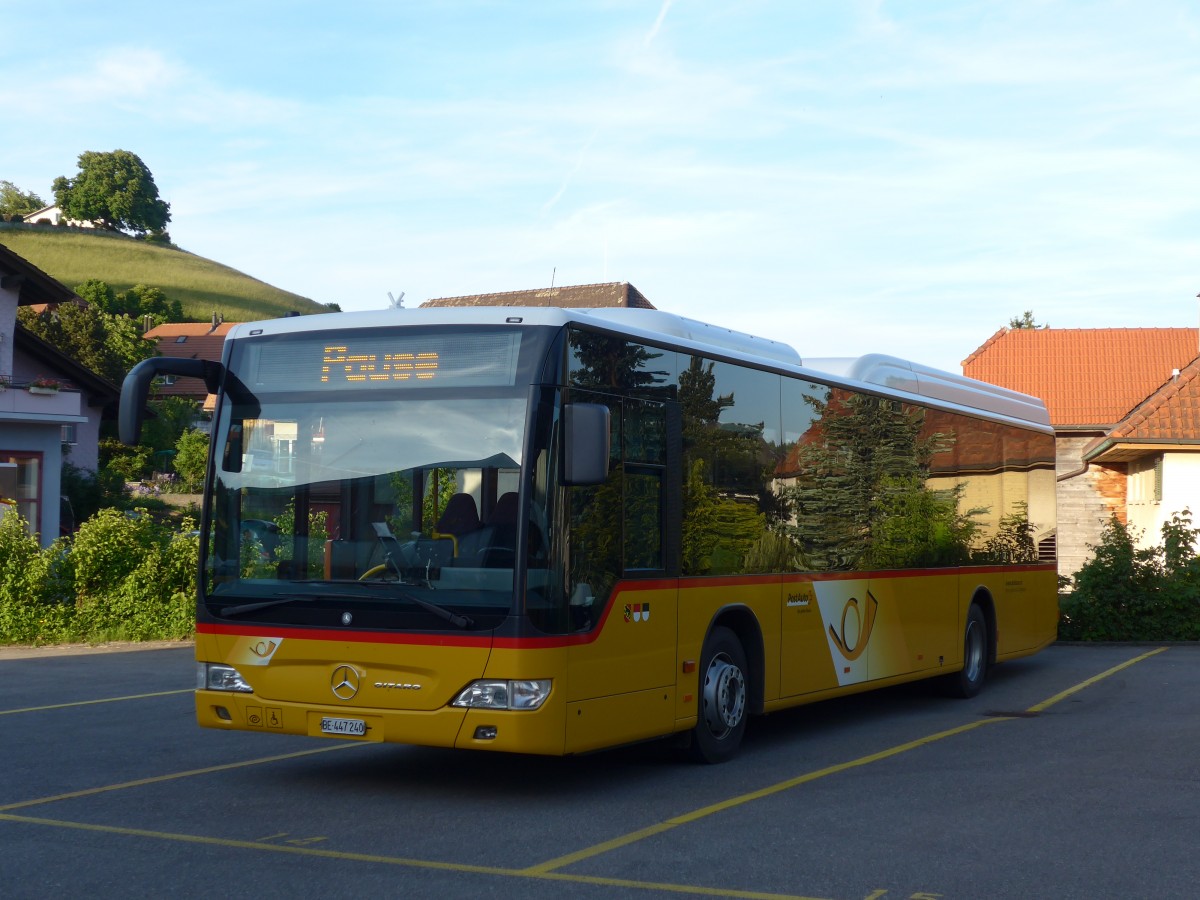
<point x="1073" y="775"/>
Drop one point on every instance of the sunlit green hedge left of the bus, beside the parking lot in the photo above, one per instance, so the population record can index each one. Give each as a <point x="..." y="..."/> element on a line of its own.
<point x="122" y="578"/>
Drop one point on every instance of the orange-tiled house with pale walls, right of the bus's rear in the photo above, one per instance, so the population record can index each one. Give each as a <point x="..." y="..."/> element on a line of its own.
<point x="1125" y="405"/>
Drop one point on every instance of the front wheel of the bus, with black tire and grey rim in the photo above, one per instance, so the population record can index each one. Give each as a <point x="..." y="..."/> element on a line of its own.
<point x="723" y="699"/>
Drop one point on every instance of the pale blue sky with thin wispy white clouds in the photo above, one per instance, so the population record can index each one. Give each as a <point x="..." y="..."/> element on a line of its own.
<point x="847" y="176"/>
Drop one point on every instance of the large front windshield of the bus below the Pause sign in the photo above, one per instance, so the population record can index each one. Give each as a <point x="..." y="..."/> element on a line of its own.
<point x="389" y="507"/>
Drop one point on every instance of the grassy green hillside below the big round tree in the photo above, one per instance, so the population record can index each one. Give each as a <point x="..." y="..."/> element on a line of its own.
<point x="201" y="286"/>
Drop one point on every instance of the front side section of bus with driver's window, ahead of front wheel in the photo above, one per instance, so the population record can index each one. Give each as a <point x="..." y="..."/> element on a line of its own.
<point x="622" y="671"/>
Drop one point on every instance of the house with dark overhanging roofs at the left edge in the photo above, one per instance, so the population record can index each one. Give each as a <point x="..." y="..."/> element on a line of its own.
<point x="51" y="407"/>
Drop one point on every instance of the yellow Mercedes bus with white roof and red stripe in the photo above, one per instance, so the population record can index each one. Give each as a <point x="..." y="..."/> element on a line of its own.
<point x="554" y="531"/>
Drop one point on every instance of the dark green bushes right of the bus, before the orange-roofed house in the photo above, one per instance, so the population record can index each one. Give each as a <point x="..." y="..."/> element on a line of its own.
<point x="1125" y="593"/>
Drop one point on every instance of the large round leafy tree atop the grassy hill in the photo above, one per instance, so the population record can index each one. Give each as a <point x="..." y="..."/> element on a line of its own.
<point x="115" y="190"/>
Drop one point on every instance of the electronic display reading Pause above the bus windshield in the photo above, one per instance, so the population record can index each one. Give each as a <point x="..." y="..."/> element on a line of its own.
<point x="385" y="361"/>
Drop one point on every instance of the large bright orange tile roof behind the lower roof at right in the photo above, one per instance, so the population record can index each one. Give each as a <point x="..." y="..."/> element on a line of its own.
<point x="1088" y="377"/>
